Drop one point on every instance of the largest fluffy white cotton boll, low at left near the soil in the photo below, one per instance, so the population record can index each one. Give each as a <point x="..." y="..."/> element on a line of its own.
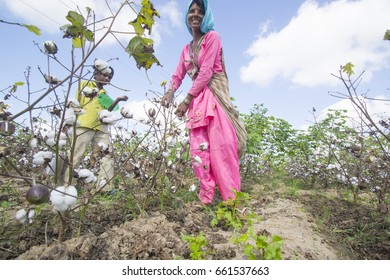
<point x="63" y="198"/>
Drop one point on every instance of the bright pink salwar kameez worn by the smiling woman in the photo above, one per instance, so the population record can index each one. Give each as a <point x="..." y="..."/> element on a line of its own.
<point x="213" y="141"/>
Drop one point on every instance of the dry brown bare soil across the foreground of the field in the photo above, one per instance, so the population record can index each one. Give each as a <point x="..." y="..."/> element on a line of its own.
<point x="313" y="226"/>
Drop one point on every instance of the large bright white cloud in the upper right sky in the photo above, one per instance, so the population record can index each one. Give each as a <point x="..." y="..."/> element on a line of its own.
<point x="318" y="40"/>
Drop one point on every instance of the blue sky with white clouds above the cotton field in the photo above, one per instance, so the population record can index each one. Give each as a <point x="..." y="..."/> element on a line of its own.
<point x="278" y="53"/>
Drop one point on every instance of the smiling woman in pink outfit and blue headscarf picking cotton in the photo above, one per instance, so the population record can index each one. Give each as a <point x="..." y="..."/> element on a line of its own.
<point x="217" y="136"/>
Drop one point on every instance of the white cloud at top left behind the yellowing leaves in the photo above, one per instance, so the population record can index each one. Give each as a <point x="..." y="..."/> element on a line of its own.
<point x="49" y="16"/>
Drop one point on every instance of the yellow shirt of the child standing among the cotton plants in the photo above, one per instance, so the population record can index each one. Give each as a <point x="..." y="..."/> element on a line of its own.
<point x="91" y="106"/>
